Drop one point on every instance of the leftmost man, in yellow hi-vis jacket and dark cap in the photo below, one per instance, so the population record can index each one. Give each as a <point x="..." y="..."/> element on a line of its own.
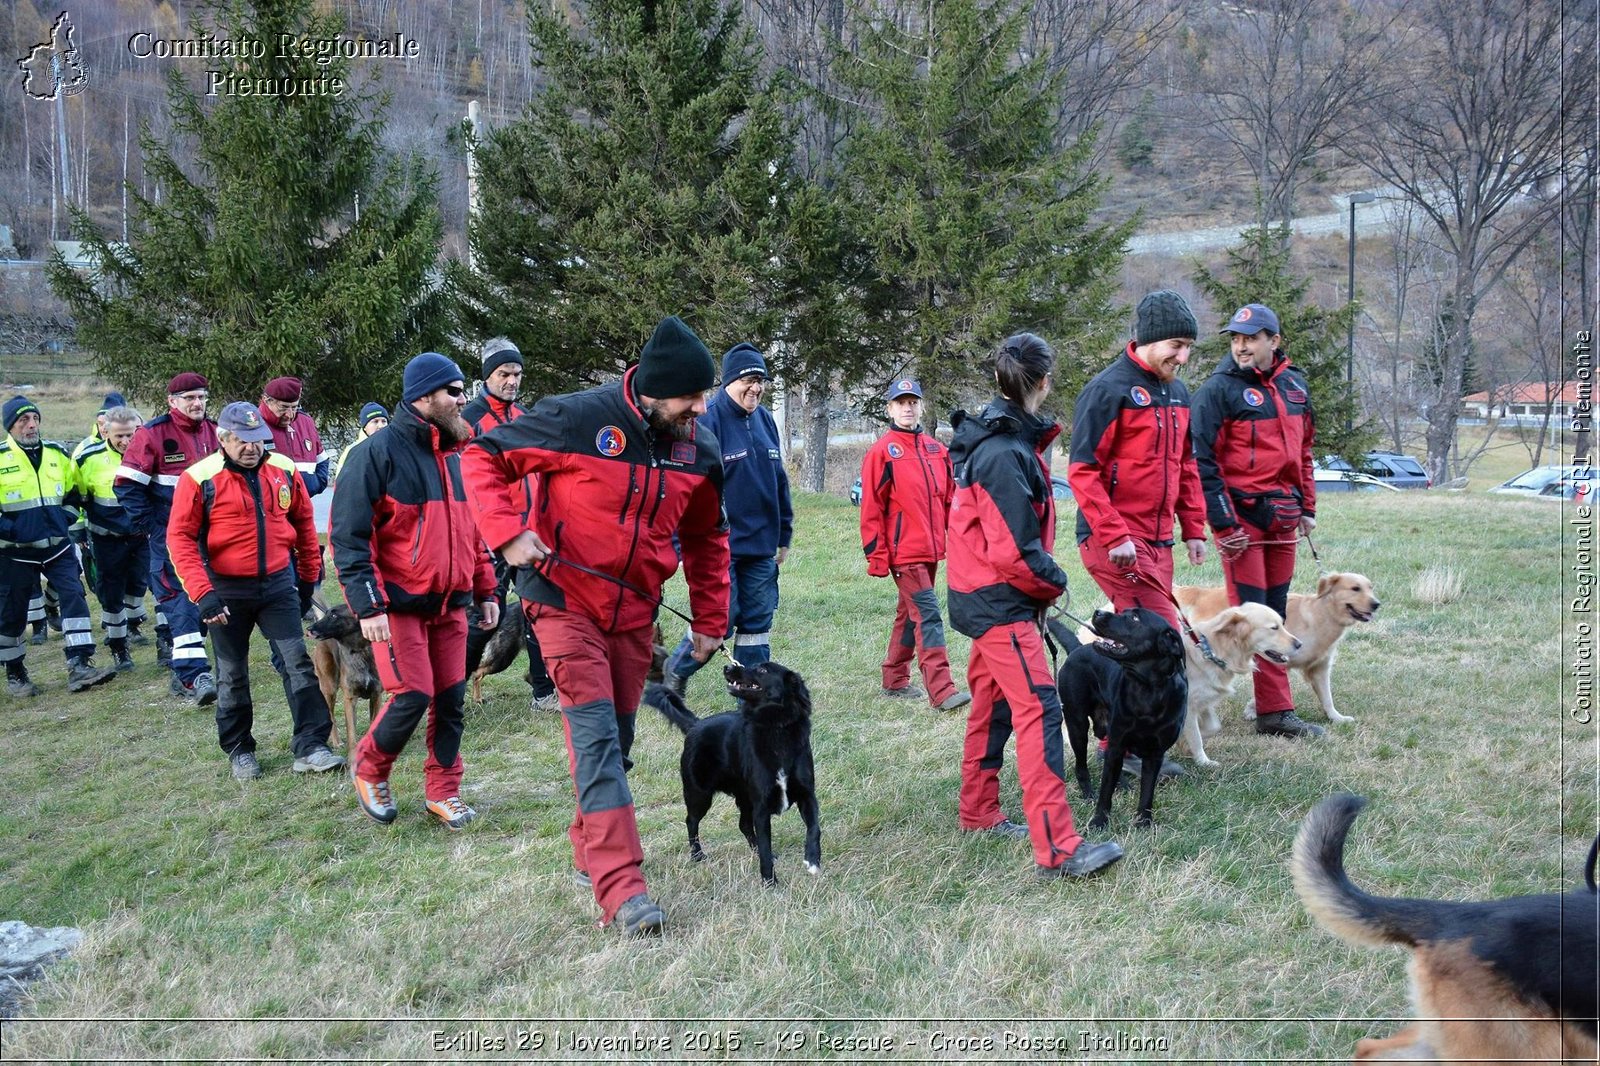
<point x="36" y="481"/>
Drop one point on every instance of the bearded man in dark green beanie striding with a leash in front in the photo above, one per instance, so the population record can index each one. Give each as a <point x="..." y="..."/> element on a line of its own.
<point x="622" y="471"/>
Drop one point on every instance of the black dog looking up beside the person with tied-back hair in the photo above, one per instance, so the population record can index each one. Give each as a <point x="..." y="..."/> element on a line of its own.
<point x="1134" y="684"/>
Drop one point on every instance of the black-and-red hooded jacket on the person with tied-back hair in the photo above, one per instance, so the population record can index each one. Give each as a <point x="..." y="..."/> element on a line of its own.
<point x="1002" y="519"/>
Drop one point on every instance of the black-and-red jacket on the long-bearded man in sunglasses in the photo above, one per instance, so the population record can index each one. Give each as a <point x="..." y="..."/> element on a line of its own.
<point x="402" y="531"/>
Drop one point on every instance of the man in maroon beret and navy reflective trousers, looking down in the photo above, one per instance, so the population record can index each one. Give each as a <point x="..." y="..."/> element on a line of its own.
<point x="156" y="459"/>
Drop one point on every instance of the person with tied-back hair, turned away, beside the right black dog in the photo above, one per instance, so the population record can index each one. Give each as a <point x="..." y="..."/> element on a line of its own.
<point x="1001" y="587"/>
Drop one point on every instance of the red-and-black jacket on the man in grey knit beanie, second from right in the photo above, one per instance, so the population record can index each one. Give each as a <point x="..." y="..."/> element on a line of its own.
<point x="1132" y="462"/>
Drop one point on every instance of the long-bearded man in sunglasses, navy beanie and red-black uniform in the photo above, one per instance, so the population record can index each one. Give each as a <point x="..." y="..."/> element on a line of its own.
<point x="410" y="561"/>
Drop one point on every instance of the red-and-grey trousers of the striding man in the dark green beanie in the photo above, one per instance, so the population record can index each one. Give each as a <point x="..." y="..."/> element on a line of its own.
<point x="601" y="678"/>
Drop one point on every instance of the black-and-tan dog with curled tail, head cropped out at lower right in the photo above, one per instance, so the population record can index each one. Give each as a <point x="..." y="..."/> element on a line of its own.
<point x="1503" y="980"/>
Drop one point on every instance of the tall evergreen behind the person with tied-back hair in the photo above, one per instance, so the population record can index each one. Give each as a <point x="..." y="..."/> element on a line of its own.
<point x="975" y="214"/>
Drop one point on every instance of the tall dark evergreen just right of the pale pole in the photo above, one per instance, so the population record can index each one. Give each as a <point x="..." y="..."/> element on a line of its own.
<point x="649" y="178"/>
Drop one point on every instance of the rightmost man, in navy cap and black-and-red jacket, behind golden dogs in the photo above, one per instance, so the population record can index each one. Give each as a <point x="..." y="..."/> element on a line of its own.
<point x="1254" y="431"/>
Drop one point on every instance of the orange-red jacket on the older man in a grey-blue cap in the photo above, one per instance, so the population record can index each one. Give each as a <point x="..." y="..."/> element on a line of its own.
<point x="230" y="523"/>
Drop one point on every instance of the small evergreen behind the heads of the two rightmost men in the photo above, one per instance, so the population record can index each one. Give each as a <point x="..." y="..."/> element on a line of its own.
<point x="1314" y="339"/>
